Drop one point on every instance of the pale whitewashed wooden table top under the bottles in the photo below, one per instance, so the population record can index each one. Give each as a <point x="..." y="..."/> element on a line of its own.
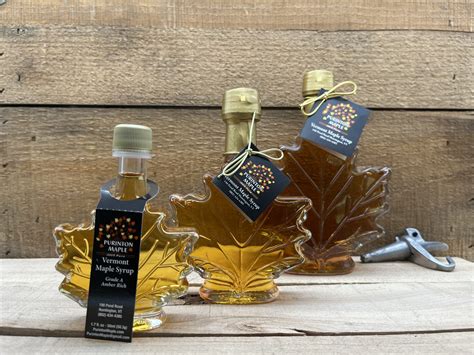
<point x="380" y="308"/>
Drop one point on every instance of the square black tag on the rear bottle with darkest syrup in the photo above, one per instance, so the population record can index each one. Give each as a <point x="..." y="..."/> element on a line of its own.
<point x="337" y="125"/>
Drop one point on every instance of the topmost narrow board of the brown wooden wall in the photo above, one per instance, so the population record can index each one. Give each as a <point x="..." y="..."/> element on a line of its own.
<point x="453" y="15"/>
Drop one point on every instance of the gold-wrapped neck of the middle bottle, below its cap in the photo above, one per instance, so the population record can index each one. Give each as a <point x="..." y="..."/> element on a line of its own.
<point x="237" y="135"/>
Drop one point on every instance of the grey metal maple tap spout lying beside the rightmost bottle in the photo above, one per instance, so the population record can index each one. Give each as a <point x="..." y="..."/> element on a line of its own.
<point x="411" y="245"/>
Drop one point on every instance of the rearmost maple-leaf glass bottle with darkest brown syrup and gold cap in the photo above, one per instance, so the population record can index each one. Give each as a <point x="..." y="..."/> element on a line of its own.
<point x="347" y="200"/>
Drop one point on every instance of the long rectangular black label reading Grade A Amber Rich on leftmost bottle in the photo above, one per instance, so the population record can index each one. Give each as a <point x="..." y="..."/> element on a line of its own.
<point x="115" y="260"/>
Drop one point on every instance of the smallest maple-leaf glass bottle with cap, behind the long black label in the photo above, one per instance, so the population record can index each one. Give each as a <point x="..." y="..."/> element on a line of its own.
<point x="163" y="252"/>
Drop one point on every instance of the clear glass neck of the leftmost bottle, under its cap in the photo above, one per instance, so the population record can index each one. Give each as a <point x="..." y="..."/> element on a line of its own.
<point x="131" y="178"/>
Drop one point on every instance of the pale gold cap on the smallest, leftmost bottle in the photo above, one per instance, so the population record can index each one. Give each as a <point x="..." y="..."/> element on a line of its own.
<point x="132" y="140"/>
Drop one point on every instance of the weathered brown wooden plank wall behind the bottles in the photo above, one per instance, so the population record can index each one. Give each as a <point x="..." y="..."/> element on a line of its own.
<point x="70" y="71"/>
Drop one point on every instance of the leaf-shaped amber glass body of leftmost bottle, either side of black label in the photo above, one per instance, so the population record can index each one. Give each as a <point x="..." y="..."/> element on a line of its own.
<point x="162" y="267"/>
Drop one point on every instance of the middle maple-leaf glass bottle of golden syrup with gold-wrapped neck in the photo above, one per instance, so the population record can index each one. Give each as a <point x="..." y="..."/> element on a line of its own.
<point x="239" y="259"/>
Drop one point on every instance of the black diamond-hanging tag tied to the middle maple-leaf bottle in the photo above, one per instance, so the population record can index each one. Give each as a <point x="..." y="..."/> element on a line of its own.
<point x="254" y="186"/>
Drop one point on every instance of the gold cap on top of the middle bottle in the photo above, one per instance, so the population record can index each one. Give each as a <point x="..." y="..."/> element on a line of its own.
<point x="240" y="101"/>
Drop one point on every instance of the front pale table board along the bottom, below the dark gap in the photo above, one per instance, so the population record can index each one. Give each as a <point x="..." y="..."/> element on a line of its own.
<point x="452" y="343"/>
